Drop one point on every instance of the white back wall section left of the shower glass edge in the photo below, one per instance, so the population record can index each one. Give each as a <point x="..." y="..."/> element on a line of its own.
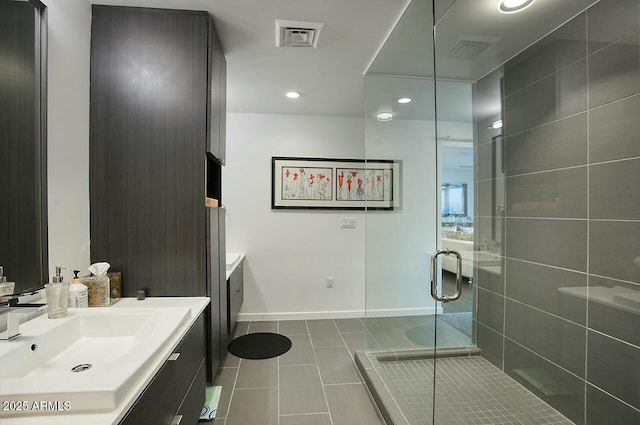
<point x="290" y="252"/>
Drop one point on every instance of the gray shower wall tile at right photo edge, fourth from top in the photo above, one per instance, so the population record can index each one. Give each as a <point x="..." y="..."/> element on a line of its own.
<point x="614" y="190"/>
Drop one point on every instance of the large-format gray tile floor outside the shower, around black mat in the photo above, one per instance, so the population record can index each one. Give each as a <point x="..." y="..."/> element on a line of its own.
<point x="314" y="383"/>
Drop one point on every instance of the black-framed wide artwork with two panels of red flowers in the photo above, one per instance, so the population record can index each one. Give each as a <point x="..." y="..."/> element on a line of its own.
<point x="327" y="183"/>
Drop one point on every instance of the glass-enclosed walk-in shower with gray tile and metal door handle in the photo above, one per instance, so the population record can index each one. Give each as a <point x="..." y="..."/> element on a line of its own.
<point x="516" y="138"/>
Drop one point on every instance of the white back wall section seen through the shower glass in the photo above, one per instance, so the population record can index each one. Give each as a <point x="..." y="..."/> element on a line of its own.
<point x="400" y="243"/>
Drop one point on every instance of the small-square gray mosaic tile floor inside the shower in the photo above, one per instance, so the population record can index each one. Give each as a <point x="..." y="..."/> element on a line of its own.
<point x="469" y="390"/>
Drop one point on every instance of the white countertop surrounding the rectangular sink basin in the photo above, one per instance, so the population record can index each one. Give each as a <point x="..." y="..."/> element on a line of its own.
<point x="197" y="306"/>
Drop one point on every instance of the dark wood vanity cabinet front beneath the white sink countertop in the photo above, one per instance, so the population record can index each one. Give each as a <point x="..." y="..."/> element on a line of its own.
<point x="177" y="392"/>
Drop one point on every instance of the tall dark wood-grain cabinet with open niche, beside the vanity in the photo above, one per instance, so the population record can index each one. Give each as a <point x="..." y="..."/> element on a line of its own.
<point x="157" y="79"/>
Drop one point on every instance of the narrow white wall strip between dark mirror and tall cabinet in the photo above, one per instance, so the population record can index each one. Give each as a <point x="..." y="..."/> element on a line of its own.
<point x="68" y="133"/>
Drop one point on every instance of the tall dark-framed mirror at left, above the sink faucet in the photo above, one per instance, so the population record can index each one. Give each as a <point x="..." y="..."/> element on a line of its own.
<point x="23" y="194"/>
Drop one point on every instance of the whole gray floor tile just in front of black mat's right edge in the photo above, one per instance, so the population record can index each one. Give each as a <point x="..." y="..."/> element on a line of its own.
<point x="301" y="390"/>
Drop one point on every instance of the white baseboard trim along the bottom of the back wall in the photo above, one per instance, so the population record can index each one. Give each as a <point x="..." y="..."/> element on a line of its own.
<point x="348" y="314"/>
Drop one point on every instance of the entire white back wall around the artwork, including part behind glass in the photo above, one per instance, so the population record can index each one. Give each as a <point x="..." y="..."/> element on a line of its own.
<point x="290" y="252"/>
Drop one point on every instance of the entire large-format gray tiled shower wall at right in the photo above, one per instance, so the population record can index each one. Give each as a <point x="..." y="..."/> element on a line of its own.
<point x="559" y="203"/>
